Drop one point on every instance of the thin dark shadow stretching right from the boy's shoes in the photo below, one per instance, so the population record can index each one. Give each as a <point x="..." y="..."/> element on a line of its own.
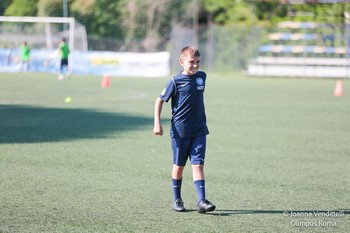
<point x="285" y="213"/>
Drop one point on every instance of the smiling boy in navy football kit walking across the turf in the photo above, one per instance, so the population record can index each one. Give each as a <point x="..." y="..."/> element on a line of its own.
<point x="188" y="126"/>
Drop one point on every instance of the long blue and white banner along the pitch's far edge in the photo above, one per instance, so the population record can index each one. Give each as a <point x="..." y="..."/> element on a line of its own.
<point x="120" y="64"/>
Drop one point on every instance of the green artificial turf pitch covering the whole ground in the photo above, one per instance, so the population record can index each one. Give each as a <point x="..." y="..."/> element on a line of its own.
<point x="278" y="156"/>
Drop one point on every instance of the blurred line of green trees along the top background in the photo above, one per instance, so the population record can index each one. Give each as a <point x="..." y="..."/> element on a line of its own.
<point x="151" y="21"/>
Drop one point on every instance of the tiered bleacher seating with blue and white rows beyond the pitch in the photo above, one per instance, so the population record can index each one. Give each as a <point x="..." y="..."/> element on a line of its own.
<point x="307" y="48"/>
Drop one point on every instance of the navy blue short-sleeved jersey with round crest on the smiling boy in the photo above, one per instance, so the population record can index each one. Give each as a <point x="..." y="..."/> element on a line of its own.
<point x="187" y="104"/>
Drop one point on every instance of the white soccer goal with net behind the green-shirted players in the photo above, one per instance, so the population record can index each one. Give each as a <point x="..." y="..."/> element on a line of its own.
<point x="43" y="35"/>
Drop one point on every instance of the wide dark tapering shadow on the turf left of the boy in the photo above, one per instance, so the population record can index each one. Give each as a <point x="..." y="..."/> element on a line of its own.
<point x="30" y="124"/>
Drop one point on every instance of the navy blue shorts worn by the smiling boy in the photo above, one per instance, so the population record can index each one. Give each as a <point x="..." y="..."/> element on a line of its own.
<point x="188" y="148"/>
